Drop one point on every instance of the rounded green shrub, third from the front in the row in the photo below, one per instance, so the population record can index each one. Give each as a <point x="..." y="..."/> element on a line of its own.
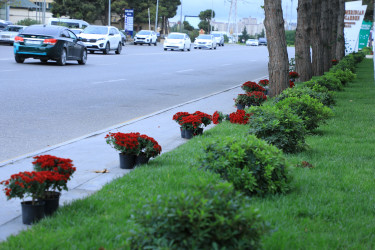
<point x="281" y="128"/>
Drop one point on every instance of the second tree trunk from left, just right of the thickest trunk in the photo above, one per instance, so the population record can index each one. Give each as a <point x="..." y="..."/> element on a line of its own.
<point x="303" y="55"/>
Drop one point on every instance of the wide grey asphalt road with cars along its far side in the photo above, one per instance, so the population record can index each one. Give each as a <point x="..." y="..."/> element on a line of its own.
<point x="45" y="104"/>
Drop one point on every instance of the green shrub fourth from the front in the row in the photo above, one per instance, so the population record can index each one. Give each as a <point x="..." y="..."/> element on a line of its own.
<point x="311" y="111"/>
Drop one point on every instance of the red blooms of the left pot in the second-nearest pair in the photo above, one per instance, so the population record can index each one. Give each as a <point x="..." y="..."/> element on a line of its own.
<point x="124" y="142"/>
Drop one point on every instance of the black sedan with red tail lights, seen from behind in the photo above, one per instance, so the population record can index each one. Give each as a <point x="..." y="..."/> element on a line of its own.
<point x="49" y="42"/>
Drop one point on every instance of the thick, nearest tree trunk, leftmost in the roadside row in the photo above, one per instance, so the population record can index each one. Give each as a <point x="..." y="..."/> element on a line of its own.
<point x="278" y="66"/>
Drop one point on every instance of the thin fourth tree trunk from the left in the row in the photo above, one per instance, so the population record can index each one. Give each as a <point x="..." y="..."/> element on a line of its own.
<point x="325" y="34"/>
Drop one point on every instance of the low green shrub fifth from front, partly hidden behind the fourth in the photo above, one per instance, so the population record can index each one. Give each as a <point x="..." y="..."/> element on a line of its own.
<point x="324" y="97"/>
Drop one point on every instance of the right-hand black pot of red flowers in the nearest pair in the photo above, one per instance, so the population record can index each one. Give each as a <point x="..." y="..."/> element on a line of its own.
<point x="56" y="183"/>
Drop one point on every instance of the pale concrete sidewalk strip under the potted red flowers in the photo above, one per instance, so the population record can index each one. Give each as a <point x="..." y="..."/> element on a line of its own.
<point x="91" y="152"/>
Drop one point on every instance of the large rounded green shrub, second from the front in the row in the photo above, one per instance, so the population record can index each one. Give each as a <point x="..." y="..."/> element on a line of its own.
<point x="250" y="164"/>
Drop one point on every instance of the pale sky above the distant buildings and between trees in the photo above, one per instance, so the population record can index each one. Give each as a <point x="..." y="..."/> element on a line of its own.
<point x="245" y="8"/>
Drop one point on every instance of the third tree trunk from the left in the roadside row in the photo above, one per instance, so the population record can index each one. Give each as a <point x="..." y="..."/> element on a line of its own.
<point x="316" y="44"/>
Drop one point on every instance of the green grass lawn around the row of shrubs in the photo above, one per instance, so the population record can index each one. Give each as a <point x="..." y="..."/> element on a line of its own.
<point x="331" y="206"/>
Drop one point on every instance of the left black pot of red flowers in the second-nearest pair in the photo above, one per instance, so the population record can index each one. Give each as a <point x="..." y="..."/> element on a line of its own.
<point x="127" y="144"/>
